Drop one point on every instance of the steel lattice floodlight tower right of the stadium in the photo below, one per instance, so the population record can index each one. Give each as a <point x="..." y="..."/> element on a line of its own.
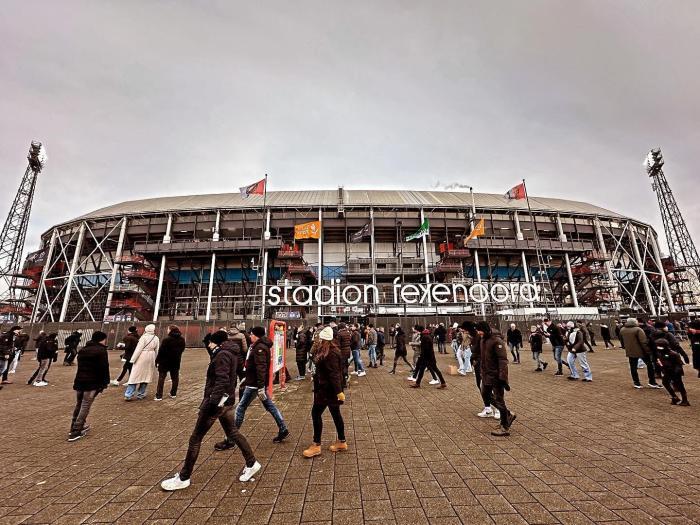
<point x="680" y="245"/>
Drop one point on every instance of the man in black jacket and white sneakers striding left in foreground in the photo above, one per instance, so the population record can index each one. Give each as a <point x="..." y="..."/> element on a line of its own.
<point x="216" y="404"/>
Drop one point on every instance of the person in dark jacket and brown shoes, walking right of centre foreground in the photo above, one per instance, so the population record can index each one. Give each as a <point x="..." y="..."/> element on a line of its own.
<point x="494" y="375"/>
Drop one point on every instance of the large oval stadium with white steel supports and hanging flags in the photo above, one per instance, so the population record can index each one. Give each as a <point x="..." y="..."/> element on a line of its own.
<point x="224" y="257"/>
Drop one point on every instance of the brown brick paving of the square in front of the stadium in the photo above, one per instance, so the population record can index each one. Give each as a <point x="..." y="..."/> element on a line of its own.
<point x="579" y="453"/>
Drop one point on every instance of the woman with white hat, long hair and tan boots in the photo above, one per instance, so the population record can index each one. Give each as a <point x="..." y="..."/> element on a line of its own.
<point x="328" y="392"/>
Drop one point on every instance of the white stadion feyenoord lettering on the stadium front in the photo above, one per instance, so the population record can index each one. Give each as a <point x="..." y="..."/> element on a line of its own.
<point x="336" y="294"/>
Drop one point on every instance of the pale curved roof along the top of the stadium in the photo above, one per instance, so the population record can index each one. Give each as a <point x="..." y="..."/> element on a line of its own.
<point x="351" y="198"/>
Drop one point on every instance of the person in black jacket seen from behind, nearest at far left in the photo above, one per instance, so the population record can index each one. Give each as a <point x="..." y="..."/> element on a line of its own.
<point x="91" y="378"/>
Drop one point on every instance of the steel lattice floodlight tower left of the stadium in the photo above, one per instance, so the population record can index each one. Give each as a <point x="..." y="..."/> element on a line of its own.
<point x="15" y="229"/>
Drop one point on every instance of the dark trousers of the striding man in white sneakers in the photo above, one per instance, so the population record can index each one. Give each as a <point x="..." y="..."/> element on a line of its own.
<point x="205" y="420"/>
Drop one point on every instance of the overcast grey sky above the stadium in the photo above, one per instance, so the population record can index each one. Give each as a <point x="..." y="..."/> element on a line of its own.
<point x="143" y="99"/>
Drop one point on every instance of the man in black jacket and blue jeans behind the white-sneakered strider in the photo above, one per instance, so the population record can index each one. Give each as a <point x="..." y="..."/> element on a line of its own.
<point x="257" y="370"/>
